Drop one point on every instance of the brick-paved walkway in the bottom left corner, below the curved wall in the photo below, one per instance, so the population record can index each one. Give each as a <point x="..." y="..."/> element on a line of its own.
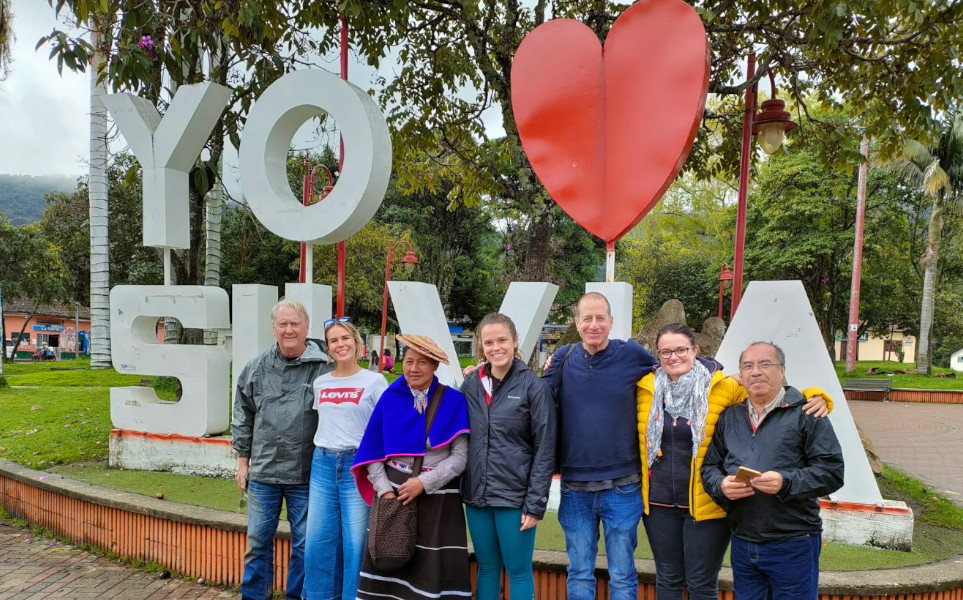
<point x="34" y="567"/>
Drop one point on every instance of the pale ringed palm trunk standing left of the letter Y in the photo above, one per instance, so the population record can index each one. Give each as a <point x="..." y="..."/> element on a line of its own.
<point x="99" y="246"/>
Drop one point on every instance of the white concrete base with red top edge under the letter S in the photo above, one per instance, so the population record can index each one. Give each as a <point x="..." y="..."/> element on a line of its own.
<point x="140" y="451"/>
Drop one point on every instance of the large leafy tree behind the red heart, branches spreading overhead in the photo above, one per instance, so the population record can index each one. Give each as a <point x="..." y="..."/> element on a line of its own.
<point x="454" y="63"/>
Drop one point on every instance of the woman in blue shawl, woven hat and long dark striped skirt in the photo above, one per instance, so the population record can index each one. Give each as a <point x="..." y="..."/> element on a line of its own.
<point x="383" y="465"/>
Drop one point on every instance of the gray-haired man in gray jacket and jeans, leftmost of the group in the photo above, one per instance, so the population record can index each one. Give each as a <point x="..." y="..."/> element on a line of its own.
<point x="273" y="429"/>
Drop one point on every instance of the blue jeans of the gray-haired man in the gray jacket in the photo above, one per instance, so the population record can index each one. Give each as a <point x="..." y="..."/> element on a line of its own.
<point x="263" y="514"/>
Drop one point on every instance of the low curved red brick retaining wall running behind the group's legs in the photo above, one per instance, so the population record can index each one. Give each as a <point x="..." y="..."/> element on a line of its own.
<point x="201" y="542"/>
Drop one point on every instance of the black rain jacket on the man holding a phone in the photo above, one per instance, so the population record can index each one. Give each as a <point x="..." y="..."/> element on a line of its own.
<point x="801" y="448"/>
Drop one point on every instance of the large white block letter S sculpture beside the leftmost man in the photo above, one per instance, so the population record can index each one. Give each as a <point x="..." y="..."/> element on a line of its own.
<point x="203" y="370"/>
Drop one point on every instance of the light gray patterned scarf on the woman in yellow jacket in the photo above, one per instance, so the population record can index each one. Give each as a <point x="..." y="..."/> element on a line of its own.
<point x="687" y="398"/>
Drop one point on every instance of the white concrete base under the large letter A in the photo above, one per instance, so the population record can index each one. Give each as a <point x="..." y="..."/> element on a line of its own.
<point x="886" y="524"/>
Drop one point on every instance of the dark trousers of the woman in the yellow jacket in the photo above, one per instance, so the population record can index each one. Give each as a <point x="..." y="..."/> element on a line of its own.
<point x="688" y="553"/>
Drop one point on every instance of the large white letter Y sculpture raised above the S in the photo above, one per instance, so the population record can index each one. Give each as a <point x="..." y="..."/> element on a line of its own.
<point x="167" y="148"/>
